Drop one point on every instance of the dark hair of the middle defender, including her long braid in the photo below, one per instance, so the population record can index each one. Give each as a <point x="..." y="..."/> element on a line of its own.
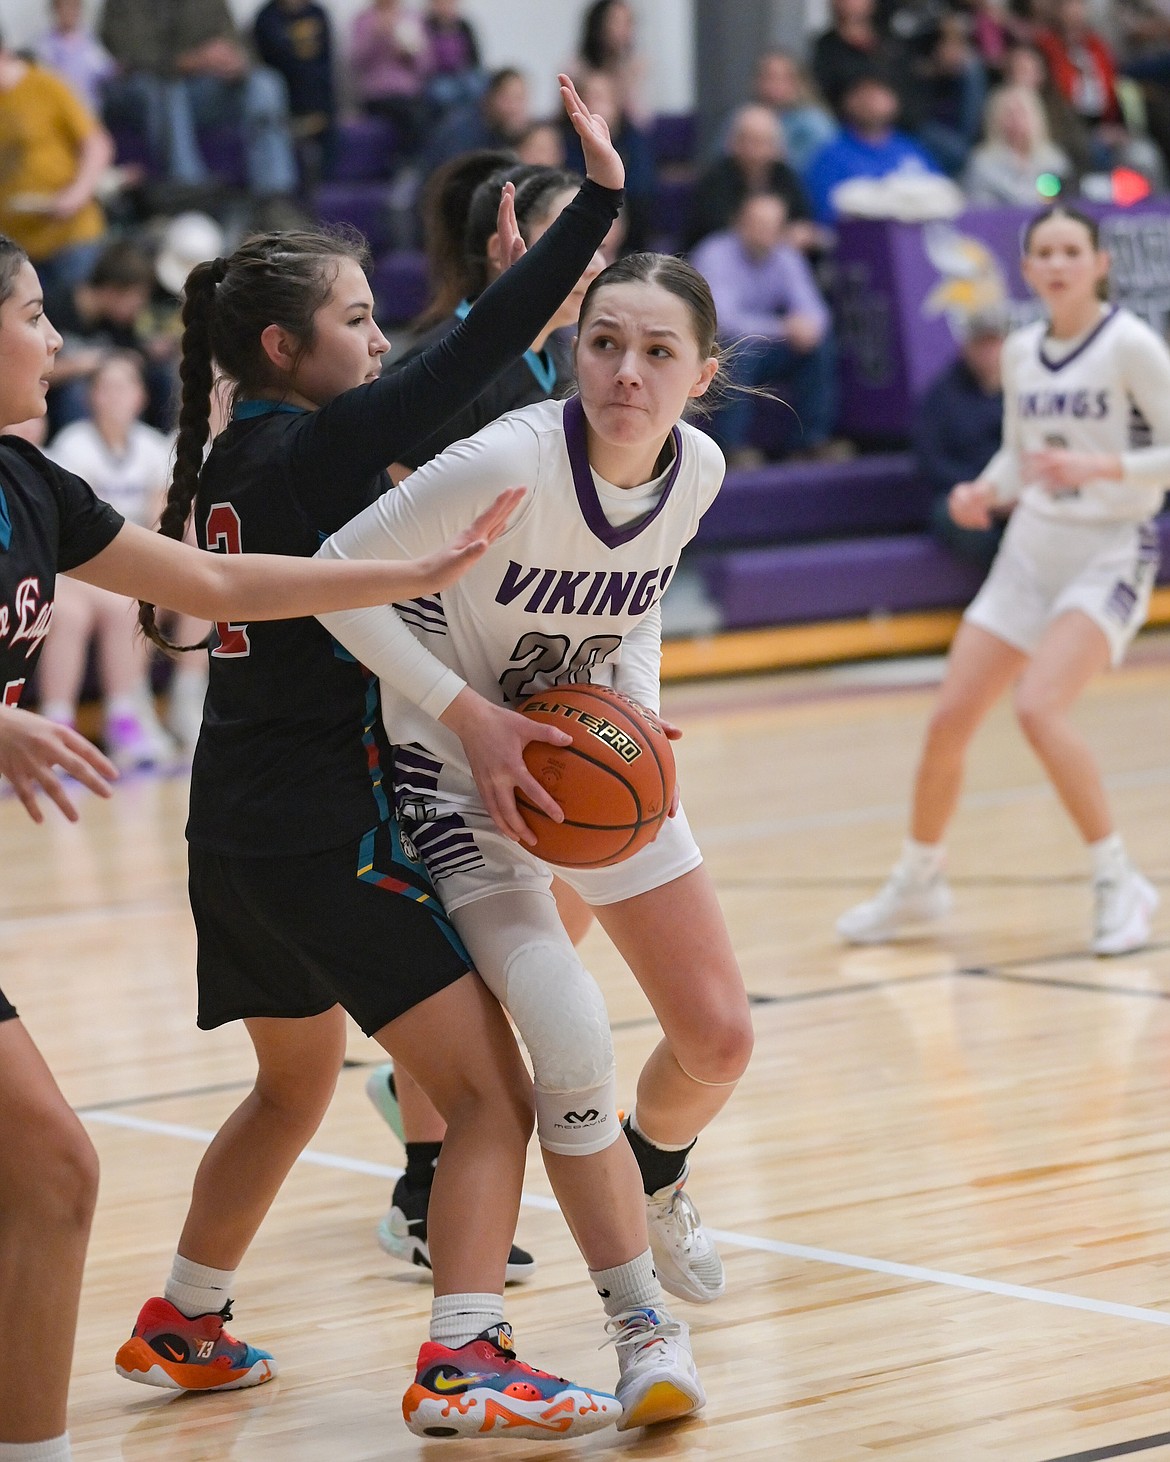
<point x="280" y="279"/>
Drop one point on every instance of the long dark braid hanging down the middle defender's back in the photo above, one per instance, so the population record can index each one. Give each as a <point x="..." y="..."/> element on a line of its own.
<point x="197" y="375"/>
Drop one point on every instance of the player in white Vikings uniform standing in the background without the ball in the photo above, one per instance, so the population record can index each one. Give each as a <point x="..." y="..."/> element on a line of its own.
<point x="1071" y="583"/>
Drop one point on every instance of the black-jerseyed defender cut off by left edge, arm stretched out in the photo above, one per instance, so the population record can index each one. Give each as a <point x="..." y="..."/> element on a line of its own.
<point x="50" y="521"/>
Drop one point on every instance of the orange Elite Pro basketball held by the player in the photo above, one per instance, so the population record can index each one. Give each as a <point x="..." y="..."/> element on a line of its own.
<point x="615" y="781"/>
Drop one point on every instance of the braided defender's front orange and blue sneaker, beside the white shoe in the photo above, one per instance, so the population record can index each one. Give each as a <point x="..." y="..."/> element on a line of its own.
<point x="482" y="1390"/>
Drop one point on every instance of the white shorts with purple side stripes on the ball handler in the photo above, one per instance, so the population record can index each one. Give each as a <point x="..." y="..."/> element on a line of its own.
<point x="467" y="859"/>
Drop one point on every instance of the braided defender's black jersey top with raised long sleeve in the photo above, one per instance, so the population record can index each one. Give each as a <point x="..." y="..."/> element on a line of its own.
<point x="293" y="752"/>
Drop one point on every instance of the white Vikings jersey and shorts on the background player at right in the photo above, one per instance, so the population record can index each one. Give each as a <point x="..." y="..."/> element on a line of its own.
<point x="1090" y="548"/>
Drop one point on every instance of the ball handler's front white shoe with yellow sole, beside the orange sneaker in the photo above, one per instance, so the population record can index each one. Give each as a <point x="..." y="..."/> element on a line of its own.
<point x="657" y="1381"/>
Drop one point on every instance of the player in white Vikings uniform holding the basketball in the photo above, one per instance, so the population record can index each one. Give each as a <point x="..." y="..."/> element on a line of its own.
<point x="616" y="488"/>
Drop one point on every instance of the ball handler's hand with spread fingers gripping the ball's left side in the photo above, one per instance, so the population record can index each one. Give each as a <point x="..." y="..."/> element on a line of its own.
<point x="495" y="739"/>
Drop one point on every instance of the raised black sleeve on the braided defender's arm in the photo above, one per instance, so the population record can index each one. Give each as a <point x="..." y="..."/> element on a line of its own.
<point x="363" y="431"/>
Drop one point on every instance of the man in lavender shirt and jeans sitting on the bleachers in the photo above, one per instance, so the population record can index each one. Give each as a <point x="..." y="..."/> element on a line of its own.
<point x="777" y="324"/>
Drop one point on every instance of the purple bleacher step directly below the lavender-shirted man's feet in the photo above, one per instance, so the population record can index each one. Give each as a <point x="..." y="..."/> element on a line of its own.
<point x="818" y="501"/>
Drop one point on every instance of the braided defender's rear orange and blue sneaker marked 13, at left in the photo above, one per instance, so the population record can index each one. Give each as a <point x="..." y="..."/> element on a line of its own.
<point x="169" y="1350"/>
